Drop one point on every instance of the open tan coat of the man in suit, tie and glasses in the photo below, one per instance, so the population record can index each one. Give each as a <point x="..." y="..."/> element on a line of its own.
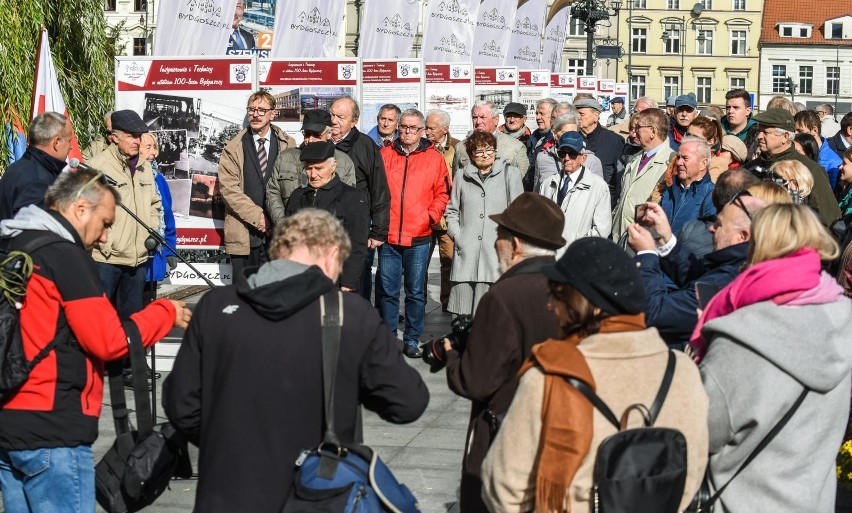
<point x="240" y="211"/>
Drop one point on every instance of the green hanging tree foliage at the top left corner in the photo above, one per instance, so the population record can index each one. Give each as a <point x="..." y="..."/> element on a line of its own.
<point x="83" y="54"/>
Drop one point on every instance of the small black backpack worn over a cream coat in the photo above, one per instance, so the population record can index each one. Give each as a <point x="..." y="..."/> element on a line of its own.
<point x="638" y="470"/>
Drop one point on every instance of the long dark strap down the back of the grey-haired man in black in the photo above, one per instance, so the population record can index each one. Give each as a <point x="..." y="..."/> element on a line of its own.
<point x="331" y="311"/>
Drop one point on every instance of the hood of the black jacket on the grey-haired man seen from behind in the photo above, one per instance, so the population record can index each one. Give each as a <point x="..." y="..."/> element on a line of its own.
<point x="281" y="288"/>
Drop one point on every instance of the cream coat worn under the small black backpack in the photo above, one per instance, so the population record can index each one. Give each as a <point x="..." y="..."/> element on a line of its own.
<point x="628" y="368"/>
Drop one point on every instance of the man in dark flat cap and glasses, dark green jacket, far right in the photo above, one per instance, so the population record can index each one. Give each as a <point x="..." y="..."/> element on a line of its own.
<point x="775" y="132"/>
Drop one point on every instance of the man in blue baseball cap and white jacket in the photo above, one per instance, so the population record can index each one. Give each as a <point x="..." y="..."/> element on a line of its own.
<point x="582" y="196"/>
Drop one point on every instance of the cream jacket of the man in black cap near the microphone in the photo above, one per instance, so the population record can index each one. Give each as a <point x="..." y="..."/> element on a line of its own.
<point x="126" y="242"/>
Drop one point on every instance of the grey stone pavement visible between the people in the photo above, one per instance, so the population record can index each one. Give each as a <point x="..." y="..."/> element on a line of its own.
<point x="425" y="455"/>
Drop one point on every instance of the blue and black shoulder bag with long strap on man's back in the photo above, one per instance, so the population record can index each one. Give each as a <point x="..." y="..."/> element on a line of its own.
<point x="335" y="477"/>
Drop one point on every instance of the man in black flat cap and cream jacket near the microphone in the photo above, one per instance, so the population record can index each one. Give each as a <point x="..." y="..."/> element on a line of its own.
<point x="121" y="261"/>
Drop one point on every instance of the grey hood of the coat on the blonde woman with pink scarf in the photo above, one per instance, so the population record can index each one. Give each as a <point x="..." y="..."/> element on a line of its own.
<point x="810" y="343"/>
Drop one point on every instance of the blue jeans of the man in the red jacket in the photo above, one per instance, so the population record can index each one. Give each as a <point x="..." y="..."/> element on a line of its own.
<point x="398" y="264"/>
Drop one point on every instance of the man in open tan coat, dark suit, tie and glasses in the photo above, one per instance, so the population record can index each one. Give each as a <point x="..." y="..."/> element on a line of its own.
<point x="244" y="168"/>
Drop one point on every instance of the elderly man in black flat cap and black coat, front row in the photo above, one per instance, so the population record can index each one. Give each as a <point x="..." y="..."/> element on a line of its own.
<point x="326" y="191"/>
